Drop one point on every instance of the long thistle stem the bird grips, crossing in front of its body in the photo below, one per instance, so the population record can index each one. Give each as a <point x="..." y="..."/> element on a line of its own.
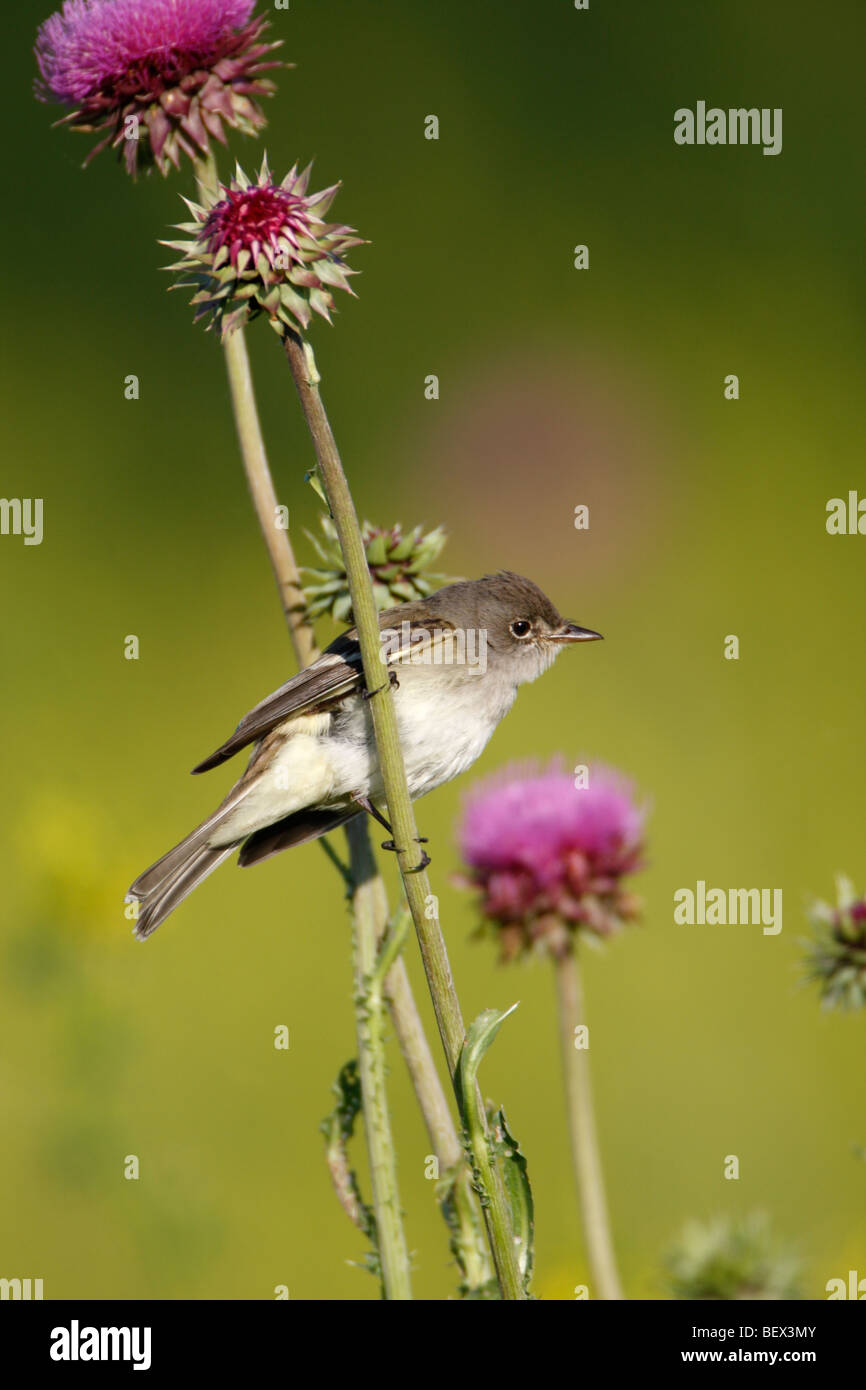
<point x="416" y="882"/>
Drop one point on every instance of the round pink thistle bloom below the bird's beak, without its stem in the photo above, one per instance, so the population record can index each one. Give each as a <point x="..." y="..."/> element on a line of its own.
<point x="550" y="857"/>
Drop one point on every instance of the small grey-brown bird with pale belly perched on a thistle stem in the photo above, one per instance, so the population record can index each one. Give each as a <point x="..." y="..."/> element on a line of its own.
<point x="455" y="662"/>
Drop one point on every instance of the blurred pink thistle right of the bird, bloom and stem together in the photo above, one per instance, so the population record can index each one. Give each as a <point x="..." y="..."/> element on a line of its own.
<point x="547" y="854"/>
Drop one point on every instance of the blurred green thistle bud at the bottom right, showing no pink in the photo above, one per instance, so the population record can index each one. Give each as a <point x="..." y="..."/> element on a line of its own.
<point x="732" y="1260"/>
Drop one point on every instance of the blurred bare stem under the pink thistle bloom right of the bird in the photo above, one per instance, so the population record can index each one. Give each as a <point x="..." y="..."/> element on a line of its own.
<point x="586" y="1154"/>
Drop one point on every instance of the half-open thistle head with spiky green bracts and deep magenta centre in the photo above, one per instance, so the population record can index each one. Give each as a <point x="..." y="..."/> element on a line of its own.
<point x="265" y="248"/>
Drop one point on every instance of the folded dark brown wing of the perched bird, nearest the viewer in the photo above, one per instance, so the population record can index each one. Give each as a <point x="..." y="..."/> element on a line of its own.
<point x="334" y="676"/>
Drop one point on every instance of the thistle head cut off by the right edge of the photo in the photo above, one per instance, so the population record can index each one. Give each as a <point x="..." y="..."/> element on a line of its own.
<point x="838" y="953"/>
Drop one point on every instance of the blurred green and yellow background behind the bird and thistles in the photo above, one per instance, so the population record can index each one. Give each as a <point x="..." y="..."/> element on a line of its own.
<point x="558" y="387"/>
